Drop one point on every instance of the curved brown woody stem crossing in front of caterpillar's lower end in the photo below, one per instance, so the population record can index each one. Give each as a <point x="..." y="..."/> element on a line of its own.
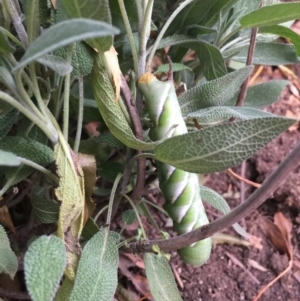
<point x="254" y="201"/>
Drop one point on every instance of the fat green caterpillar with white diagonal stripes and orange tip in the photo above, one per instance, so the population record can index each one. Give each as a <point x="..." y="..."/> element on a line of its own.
<point x="180" y="188"/>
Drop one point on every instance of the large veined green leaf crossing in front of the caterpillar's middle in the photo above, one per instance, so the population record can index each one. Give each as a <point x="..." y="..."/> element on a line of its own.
<point x="221" y="146"/>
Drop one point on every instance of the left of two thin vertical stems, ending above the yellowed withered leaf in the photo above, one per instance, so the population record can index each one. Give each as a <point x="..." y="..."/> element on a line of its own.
<point x="67" y="97"/>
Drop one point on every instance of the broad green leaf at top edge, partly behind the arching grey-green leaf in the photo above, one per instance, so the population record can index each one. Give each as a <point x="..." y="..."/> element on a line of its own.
<point x="95" y="10"/>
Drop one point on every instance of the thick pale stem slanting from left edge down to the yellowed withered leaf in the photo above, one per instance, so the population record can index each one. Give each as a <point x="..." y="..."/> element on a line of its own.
<point x="51" y="134"/>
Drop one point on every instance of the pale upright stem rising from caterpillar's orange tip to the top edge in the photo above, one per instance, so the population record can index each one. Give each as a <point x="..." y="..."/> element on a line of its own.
<point x="144" y="35"/>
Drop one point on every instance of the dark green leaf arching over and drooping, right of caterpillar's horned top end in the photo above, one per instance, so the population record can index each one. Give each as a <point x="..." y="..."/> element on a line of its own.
<point x="211" y="59"/>
